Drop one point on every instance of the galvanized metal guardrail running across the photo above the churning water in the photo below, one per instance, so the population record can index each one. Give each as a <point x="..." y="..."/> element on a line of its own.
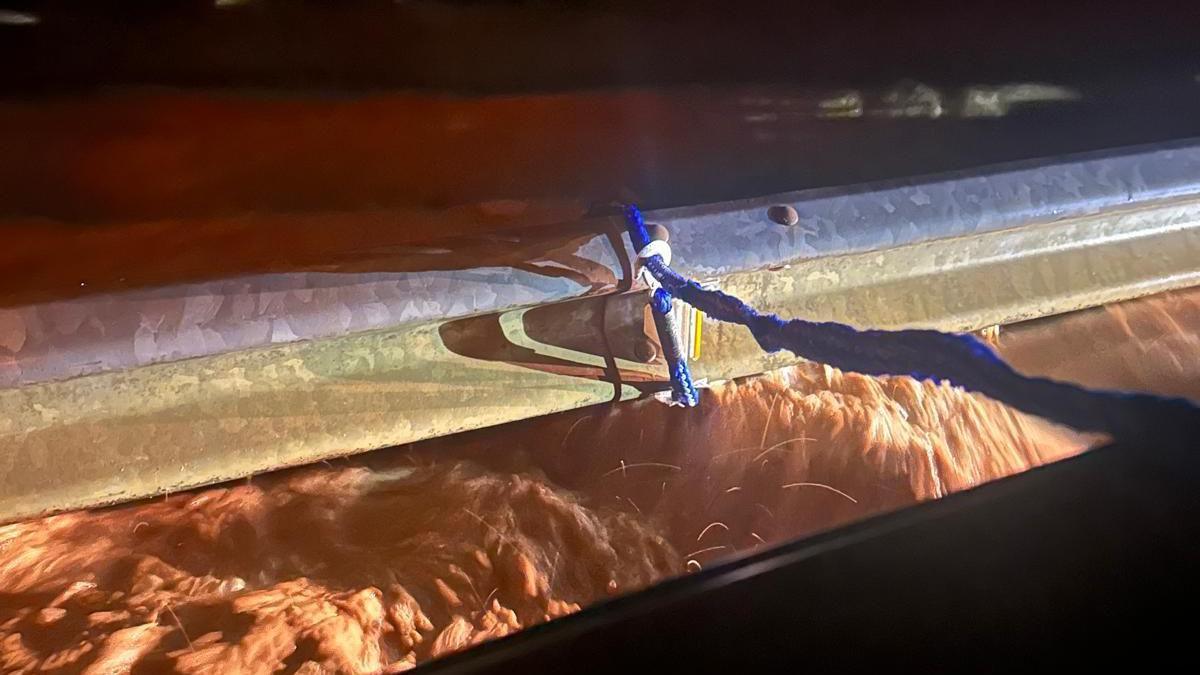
<point x="125" y="396"/>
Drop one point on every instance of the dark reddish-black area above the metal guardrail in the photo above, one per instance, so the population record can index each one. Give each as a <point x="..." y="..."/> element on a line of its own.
<point x="154" y="142"/>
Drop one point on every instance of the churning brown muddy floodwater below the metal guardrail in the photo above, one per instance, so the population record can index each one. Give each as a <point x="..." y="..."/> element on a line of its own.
<point x="385" y="561"/>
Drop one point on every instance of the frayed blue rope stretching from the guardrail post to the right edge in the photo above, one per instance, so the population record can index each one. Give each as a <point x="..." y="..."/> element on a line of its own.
<point x="929" y="355"/>
